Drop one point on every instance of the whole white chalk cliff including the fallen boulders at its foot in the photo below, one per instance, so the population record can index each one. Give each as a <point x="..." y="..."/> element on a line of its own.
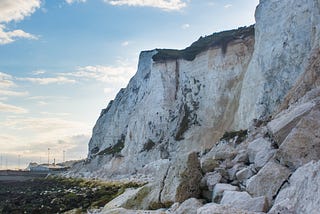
<point x="262" y="78"/>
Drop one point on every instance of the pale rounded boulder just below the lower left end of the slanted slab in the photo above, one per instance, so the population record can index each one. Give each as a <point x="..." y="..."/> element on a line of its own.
<point x="260" y="151"/>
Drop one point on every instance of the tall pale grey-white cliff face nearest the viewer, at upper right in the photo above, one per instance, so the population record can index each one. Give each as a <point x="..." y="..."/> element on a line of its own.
<point x="286" y="34"/>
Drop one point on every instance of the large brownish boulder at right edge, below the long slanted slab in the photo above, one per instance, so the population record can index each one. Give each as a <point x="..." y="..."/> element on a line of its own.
<point x="302" y="144"/>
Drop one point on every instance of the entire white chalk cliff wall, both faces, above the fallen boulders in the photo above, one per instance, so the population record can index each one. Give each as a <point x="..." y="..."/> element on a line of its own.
<point x="176" y="103"/>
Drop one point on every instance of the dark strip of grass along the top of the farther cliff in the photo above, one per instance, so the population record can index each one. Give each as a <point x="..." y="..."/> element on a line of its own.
<point x="215" y="40"/>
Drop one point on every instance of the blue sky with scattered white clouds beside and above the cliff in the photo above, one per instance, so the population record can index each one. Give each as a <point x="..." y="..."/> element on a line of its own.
<point x="62" y="61"/>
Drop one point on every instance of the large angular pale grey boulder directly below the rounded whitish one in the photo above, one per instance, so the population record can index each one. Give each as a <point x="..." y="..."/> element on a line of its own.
<point x="268" y="180"/>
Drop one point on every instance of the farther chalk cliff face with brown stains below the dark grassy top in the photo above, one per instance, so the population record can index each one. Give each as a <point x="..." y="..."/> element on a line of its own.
<point x="172" y="106"/>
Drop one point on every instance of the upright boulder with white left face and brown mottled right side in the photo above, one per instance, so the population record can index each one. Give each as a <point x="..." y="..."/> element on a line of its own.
<point x="182" y="180"/>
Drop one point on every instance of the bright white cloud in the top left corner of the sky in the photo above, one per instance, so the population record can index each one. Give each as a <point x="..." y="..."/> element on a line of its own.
<point x="15" y="11"/>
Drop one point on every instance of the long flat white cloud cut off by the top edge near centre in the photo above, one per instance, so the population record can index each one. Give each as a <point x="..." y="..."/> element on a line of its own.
<point x="168" y="5"/>
